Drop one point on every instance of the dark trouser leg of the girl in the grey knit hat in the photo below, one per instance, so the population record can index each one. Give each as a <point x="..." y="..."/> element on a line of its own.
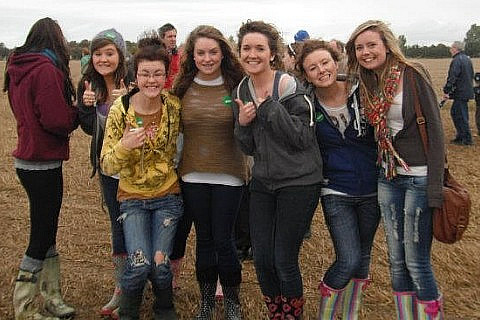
<point x="109" y="188"/>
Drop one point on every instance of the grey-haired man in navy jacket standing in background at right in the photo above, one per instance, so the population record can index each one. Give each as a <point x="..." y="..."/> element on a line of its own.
<point x="459" y="87"/>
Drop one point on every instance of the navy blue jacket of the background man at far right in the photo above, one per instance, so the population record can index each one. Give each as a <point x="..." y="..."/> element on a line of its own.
<point x="460" y="78"/>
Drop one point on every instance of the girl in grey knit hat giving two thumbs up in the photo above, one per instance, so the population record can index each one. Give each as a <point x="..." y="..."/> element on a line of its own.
<point x="105" y="80"/>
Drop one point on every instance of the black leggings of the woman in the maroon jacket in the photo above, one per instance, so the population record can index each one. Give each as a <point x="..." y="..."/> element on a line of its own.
<point x="44" y="190"/>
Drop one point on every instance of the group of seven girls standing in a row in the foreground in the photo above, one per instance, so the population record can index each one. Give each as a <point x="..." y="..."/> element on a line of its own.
<point x="352" y="144"/>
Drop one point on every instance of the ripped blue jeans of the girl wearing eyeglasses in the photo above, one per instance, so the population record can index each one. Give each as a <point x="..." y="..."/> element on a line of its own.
<point x="149" y="228"/>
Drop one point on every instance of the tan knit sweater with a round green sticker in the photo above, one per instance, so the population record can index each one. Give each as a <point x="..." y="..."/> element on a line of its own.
<point x="209" y="144"/>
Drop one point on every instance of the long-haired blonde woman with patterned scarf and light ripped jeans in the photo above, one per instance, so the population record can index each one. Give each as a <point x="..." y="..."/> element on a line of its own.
<point x="411" y="178"/>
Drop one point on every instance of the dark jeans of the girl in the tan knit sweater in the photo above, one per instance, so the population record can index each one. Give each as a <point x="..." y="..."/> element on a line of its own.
<point x="214" y="209"/>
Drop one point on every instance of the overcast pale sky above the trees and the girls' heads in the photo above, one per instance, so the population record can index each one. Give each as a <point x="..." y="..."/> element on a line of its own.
<point x="423" y="22"/>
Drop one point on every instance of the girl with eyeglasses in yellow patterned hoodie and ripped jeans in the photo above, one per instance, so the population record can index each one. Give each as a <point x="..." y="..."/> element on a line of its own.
<point x="140" y="146"/>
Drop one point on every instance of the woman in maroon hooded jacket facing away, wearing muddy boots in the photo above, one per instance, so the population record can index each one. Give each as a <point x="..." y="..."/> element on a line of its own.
<point x="41" y="95"/>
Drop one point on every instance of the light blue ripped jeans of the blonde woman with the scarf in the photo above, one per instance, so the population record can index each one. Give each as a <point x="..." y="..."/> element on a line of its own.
<point x="408" y="228"/>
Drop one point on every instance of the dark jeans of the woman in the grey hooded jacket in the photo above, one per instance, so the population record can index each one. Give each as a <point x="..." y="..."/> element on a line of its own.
<point x="278" y="222"/>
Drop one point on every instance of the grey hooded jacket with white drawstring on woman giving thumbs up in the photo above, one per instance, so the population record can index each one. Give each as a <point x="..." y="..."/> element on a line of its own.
<point x="281" y="138"/>
